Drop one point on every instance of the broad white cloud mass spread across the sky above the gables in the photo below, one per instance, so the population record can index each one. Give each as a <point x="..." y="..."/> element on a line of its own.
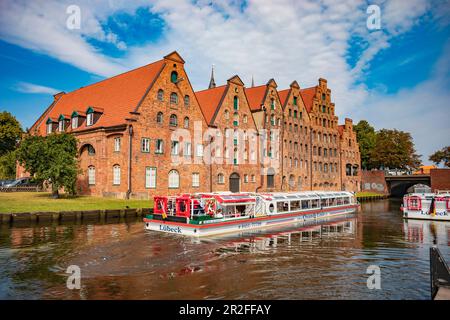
<point x="285" y="39"/>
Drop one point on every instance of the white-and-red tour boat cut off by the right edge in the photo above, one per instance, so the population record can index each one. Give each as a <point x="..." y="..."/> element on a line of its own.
<point x="423" y="204"/>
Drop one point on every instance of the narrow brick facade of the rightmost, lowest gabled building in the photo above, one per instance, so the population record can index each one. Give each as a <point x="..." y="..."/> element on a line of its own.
<point x="350" y="158"/>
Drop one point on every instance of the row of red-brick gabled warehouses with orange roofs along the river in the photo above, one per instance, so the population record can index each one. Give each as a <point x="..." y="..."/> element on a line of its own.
<point x="146" y="132"/>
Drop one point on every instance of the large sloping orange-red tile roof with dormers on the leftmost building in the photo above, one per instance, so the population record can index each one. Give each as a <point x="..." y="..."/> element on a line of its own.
<point x="115" y="97"/>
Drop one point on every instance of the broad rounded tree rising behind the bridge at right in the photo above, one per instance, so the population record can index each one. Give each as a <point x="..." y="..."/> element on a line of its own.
<point x="394" y="149"/>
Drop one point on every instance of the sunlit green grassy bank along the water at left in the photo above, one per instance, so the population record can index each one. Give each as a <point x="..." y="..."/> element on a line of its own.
<point x="11" y="202"/>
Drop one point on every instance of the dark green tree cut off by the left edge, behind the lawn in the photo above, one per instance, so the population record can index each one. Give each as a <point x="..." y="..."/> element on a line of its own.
<point x="10" y="132"/>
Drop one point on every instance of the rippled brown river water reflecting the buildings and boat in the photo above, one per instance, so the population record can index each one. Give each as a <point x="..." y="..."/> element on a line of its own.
<point x="326" y="260"/>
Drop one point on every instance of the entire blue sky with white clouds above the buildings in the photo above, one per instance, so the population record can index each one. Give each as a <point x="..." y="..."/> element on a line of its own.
<point x="395" y="77"/>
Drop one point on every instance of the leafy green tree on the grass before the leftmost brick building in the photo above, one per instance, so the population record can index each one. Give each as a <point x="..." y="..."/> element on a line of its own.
<point x="52" y="158"/>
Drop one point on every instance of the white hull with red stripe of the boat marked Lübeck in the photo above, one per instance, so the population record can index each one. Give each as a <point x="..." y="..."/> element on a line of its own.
<point x="211" y="229"/>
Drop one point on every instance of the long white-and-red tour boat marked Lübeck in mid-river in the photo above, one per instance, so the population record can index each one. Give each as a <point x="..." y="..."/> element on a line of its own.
<point x="206" y="214"/>
